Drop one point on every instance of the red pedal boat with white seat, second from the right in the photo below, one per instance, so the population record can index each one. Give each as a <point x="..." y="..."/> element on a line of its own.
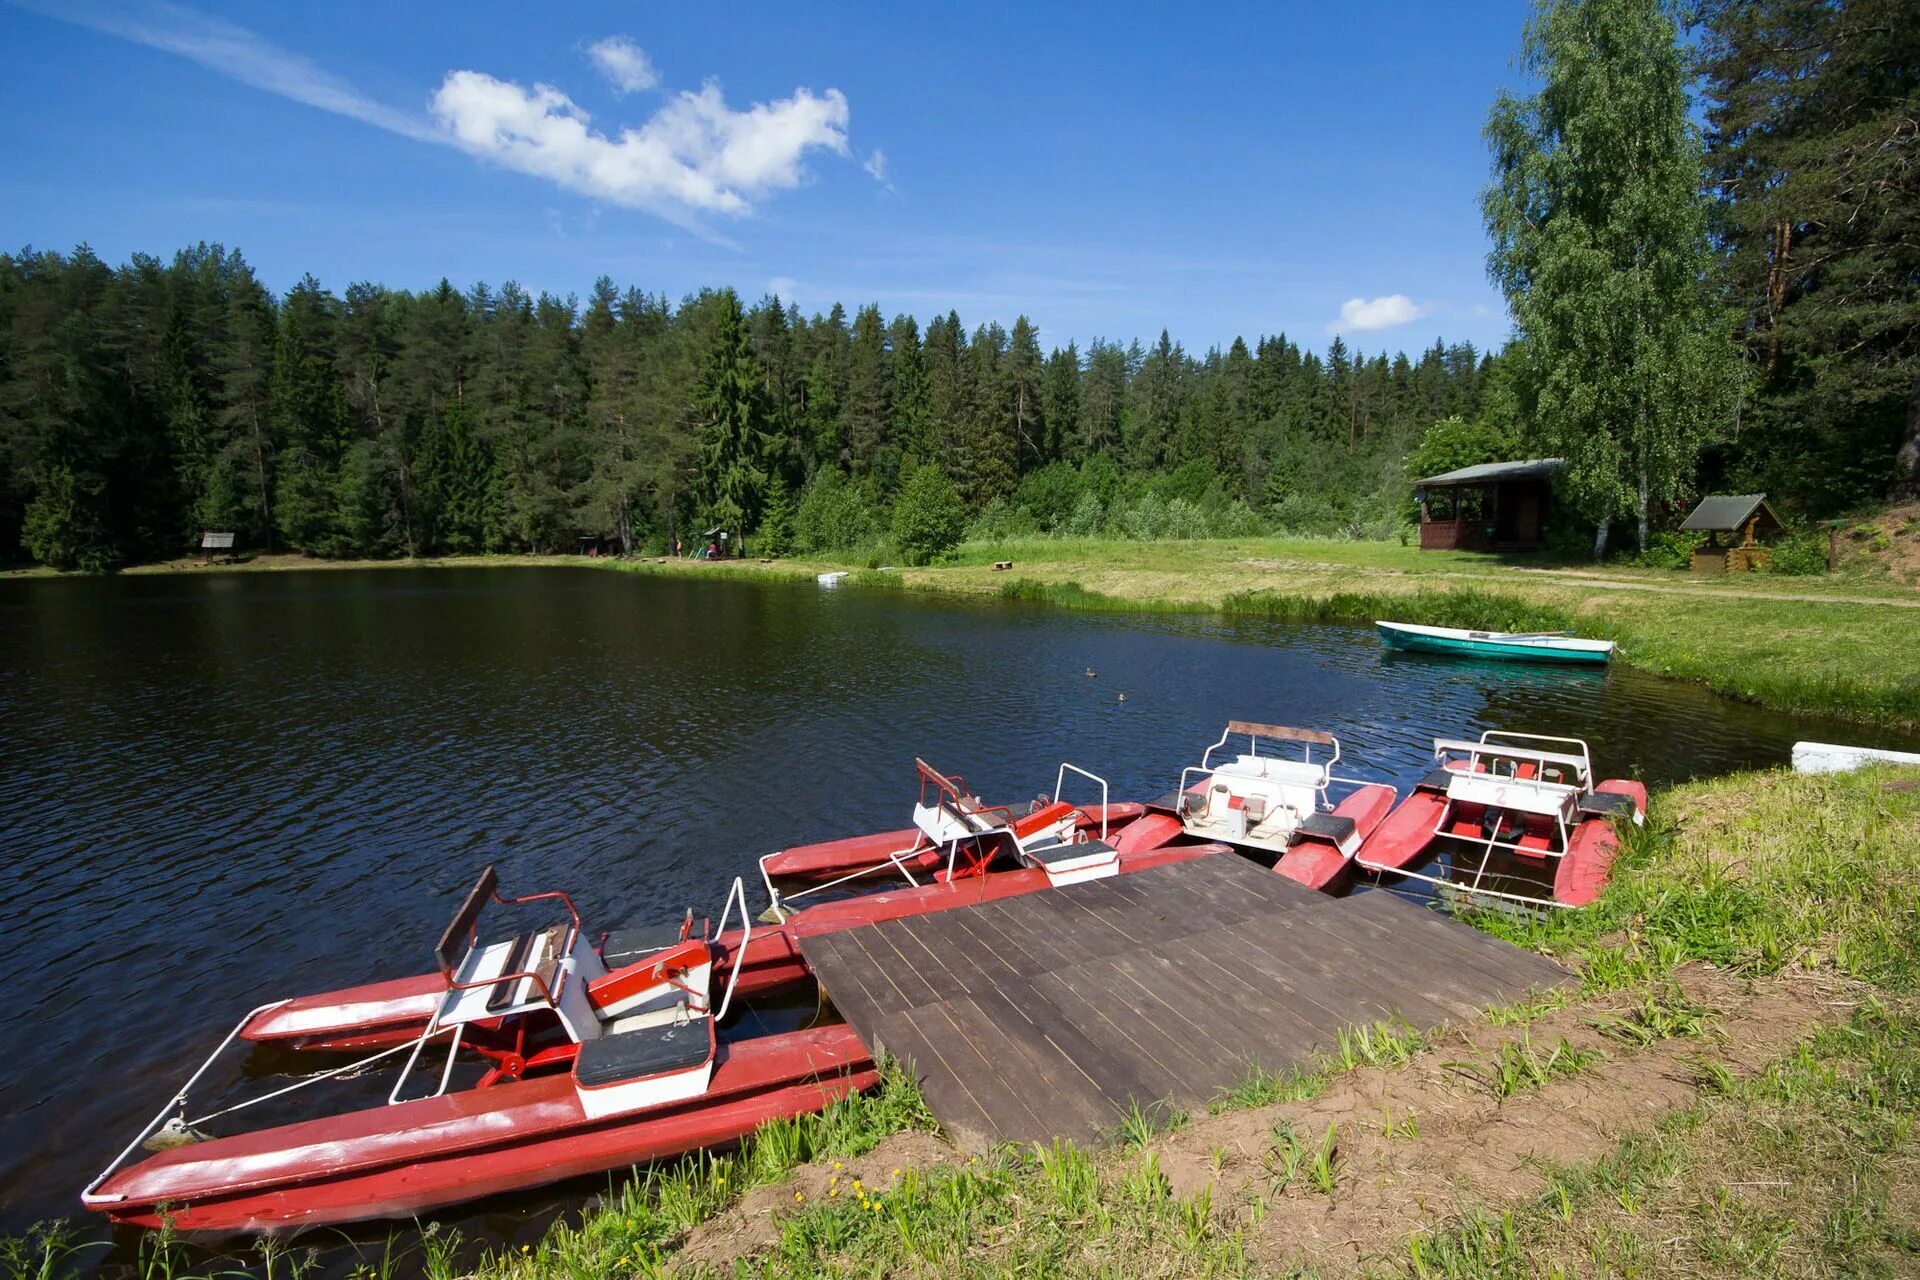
<point x="1282" y="807"/>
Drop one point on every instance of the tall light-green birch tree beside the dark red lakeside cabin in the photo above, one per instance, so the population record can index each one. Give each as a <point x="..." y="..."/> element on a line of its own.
<point x="1600" y="245"/>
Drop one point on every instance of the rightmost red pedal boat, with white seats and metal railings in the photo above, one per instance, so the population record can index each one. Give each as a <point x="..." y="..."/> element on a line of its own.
<point x="1525" y="797"/>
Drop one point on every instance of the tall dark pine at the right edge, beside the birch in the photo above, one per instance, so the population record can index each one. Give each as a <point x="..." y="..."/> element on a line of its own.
<point x="1815" y="156"/>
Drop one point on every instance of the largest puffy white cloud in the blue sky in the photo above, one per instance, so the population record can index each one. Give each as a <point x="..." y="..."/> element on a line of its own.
<point x="696" y="154"/>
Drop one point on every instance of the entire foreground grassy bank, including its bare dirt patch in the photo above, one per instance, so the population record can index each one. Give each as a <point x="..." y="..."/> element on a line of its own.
<point x="1729" y="1091"/>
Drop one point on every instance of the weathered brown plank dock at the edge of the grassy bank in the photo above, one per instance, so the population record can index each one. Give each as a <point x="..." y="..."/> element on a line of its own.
<point x="1051" y="1014"/>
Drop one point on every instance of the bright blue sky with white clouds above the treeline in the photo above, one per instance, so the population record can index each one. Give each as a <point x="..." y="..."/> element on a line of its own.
<point x="1107" y="172"/>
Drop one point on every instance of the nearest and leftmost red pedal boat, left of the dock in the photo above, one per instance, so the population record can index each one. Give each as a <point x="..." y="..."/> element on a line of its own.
<point x="587" y="1068"/>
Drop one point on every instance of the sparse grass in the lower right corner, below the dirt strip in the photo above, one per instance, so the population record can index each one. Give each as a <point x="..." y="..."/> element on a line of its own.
<point x="1792" y="1173"/>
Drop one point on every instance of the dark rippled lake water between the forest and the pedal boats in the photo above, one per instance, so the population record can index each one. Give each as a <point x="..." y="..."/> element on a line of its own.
<point x="226" y="790"/>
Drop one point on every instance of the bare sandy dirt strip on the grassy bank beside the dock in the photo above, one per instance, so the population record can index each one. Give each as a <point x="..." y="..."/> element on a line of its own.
<point x="1412" y="1147"/>
